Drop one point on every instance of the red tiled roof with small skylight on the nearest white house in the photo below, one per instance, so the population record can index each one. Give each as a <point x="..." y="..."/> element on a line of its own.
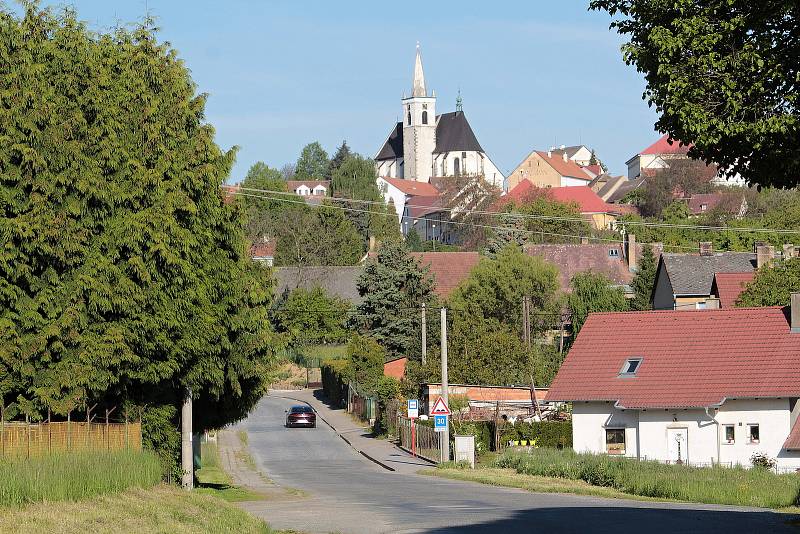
<point x="694" y="358"/>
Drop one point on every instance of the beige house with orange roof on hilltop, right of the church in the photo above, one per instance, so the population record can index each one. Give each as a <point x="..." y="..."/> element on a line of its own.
<point x="549" y="169"/>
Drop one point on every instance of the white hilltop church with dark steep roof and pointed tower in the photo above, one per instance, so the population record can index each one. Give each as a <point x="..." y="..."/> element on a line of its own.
<point x="425" y="145"/>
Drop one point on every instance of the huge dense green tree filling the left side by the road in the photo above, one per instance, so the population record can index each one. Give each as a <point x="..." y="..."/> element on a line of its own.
<point x="123" y="275"/>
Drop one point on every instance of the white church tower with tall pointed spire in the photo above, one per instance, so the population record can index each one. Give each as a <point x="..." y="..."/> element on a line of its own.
<point x="419" y="128"/>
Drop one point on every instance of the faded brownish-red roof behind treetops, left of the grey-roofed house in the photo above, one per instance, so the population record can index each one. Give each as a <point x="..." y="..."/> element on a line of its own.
<point x="573" y="259"/>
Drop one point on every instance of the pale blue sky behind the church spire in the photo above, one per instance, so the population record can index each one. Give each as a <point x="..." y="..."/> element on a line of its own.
<point x="283" y="73"/>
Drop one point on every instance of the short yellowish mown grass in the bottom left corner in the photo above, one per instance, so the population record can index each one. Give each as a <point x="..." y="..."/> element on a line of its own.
<point x="159" y="509"/>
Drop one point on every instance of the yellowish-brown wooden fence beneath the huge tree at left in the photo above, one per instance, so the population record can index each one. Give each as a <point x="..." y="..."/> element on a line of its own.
<point x="31" y="439"/>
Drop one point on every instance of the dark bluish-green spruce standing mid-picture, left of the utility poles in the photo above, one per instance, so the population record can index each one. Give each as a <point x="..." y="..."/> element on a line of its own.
<point x="393" y="287"/>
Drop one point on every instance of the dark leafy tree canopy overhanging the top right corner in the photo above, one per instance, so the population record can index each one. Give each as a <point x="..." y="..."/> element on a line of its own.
<point x="722" y="75"/>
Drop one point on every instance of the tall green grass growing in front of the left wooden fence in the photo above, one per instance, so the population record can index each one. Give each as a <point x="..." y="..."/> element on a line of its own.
<point x="76" y="476"/>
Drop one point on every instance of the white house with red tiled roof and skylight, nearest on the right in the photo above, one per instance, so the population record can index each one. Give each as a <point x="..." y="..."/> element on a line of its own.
<point x="691" y="387"/>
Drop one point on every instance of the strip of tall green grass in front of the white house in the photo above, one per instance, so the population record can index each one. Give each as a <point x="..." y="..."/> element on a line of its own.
<point x="717" y="485"/>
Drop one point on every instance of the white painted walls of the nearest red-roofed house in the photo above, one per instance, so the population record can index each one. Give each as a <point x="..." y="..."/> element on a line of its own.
<point x="646" y="431"/>
